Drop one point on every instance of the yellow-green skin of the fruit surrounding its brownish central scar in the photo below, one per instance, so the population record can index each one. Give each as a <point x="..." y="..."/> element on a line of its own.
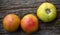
<point x="41" y="13"/>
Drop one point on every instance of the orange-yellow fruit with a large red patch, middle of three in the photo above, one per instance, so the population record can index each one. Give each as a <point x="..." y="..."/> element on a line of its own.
<point x="29" y="23"/>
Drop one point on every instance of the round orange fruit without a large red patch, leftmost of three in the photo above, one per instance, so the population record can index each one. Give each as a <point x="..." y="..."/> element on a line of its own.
<point x="11" y="22"/>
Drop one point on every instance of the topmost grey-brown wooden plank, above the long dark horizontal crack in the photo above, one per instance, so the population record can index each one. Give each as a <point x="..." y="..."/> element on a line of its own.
<point x="24" y="3"/>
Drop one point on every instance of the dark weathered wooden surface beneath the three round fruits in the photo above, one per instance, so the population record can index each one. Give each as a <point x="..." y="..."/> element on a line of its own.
<point x="22" y="7"/>
